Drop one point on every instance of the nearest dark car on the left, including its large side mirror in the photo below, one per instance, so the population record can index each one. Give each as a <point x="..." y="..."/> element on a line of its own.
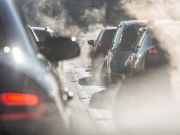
<point x="31" y="99"/>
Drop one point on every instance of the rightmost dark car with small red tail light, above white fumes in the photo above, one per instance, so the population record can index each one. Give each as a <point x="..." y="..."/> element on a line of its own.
<point x="147" y="54"/>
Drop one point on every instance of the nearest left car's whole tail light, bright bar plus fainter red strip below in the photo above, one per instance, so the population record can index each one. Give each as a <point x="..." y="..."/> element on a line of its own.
<point x="29" y="104"/>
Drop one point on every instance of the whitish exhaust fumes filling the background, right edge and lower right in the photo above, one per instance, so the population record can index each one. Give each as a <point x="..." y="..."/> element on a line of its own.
<point x="148" y="103"/>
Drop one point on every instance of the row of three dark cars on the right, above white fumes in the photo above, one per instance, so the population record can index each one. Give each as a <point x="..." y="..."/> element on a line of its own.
<point x="126" y="50"/>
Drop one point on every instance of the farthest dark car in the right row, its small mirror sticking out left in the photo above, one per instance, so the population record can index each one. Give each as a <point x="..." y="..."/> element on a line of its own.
<point x="101" y="46"/>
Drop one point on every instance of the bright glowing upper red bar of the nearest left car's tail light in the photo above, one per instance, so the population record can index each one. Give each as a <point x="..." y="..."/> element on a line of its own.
<point x="15" y="99"/>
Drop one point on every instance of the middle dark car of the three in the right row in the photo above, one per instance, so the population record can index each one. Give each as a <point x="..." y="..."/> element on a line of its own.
<point x="125" y="38"/>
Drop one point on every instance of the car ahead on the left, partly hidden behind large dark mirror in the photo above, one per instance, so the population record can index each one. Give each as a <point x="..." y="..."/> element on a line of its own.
<point x="40" y="35"/>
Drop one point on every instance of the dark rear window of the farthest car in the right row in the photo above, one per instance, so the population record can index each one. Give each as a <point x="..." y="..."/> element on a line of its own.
<point x="108" y="35"/>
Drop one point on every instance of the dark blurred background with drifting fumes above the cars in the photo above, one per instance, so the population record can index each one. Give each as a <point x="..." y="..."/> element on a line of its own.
<point x="69" y="14"/>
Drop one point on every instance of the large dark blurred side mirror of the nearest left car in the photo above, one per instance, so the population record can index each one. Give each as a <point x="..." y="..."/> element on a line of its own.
<point x="59" y="48"/>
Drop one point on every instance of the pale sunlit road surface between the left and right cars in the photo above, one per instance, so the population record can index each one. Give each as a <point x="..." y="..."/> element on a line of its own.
<point x="92" y="101"/>
